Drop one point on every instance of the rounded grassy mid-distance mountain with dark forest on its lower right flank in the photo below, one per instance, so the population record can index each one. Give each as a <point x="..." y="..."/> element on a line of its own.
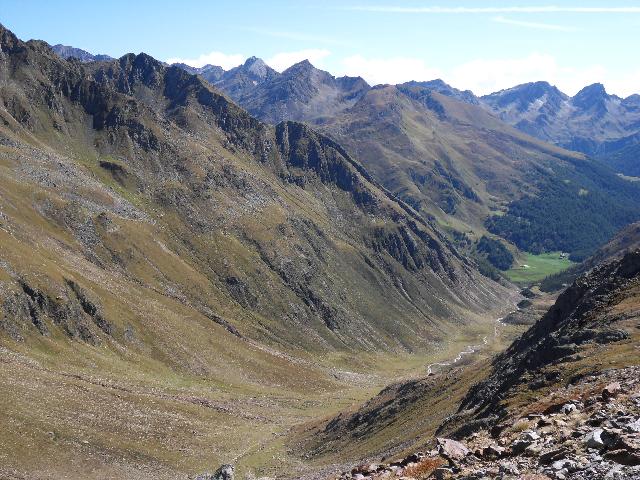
<point x="451" y="160"/>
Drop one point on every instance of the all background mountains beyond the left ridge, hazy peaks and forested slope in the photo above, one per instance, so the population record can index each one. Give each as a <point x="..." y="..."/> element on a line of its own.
<point x="453" y="157"/>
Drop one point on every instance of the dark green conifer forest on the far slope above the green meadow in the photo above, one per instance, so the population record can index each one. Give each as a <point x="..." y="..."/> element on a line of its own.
<point x="579" y="207"/>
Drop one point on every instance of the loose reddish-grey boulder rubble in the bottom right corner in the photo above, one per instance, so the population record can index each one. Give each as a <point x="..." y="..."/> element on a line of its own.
<point x="582" y="432"/>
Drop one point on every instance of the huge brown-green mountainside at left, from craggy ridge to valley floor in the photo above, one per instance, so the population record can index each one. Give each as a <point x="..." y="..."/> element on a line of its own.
<point x="180" y="275"/>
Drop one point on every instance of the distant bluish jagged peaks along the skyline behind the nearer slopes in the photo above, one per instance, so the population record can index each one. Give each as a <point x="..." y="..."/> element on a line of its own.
<point x="592" y="121"/>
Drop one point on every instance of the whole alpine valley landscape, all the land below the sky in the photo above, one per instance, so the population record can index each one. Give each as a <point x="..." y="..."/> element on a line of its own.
<point x="246" y="273"/>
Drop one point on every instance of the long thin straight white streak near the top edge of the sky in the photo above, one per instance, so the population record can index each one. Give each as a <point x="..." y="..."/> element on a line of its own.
<point x="492" y="10"/>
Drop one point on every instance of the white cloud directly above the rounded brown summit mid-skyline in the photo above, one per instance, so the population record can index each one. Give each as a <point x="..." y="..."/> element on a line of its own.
<point x="388" y="70"/>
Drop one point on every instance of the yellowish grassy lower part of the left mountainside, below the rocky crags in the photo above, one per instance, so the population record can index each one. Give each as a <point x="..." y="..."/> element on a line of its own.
<point x="160" y="402"/>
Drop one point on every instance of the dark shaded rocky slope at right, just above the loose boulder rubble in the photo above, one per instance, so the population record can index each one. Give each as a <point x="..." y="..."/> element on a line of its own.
<point x="583" y="317"/>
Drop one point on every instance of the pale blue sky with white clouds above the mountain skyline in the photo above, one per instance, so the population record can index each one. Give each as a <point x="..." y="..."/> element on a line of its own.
<point x="481" y="45"/>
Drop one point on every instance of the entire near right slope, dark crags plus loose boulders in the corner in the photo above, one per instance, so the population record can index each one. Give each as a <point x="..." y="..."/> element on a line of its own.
<point x="563" y="402"/>
